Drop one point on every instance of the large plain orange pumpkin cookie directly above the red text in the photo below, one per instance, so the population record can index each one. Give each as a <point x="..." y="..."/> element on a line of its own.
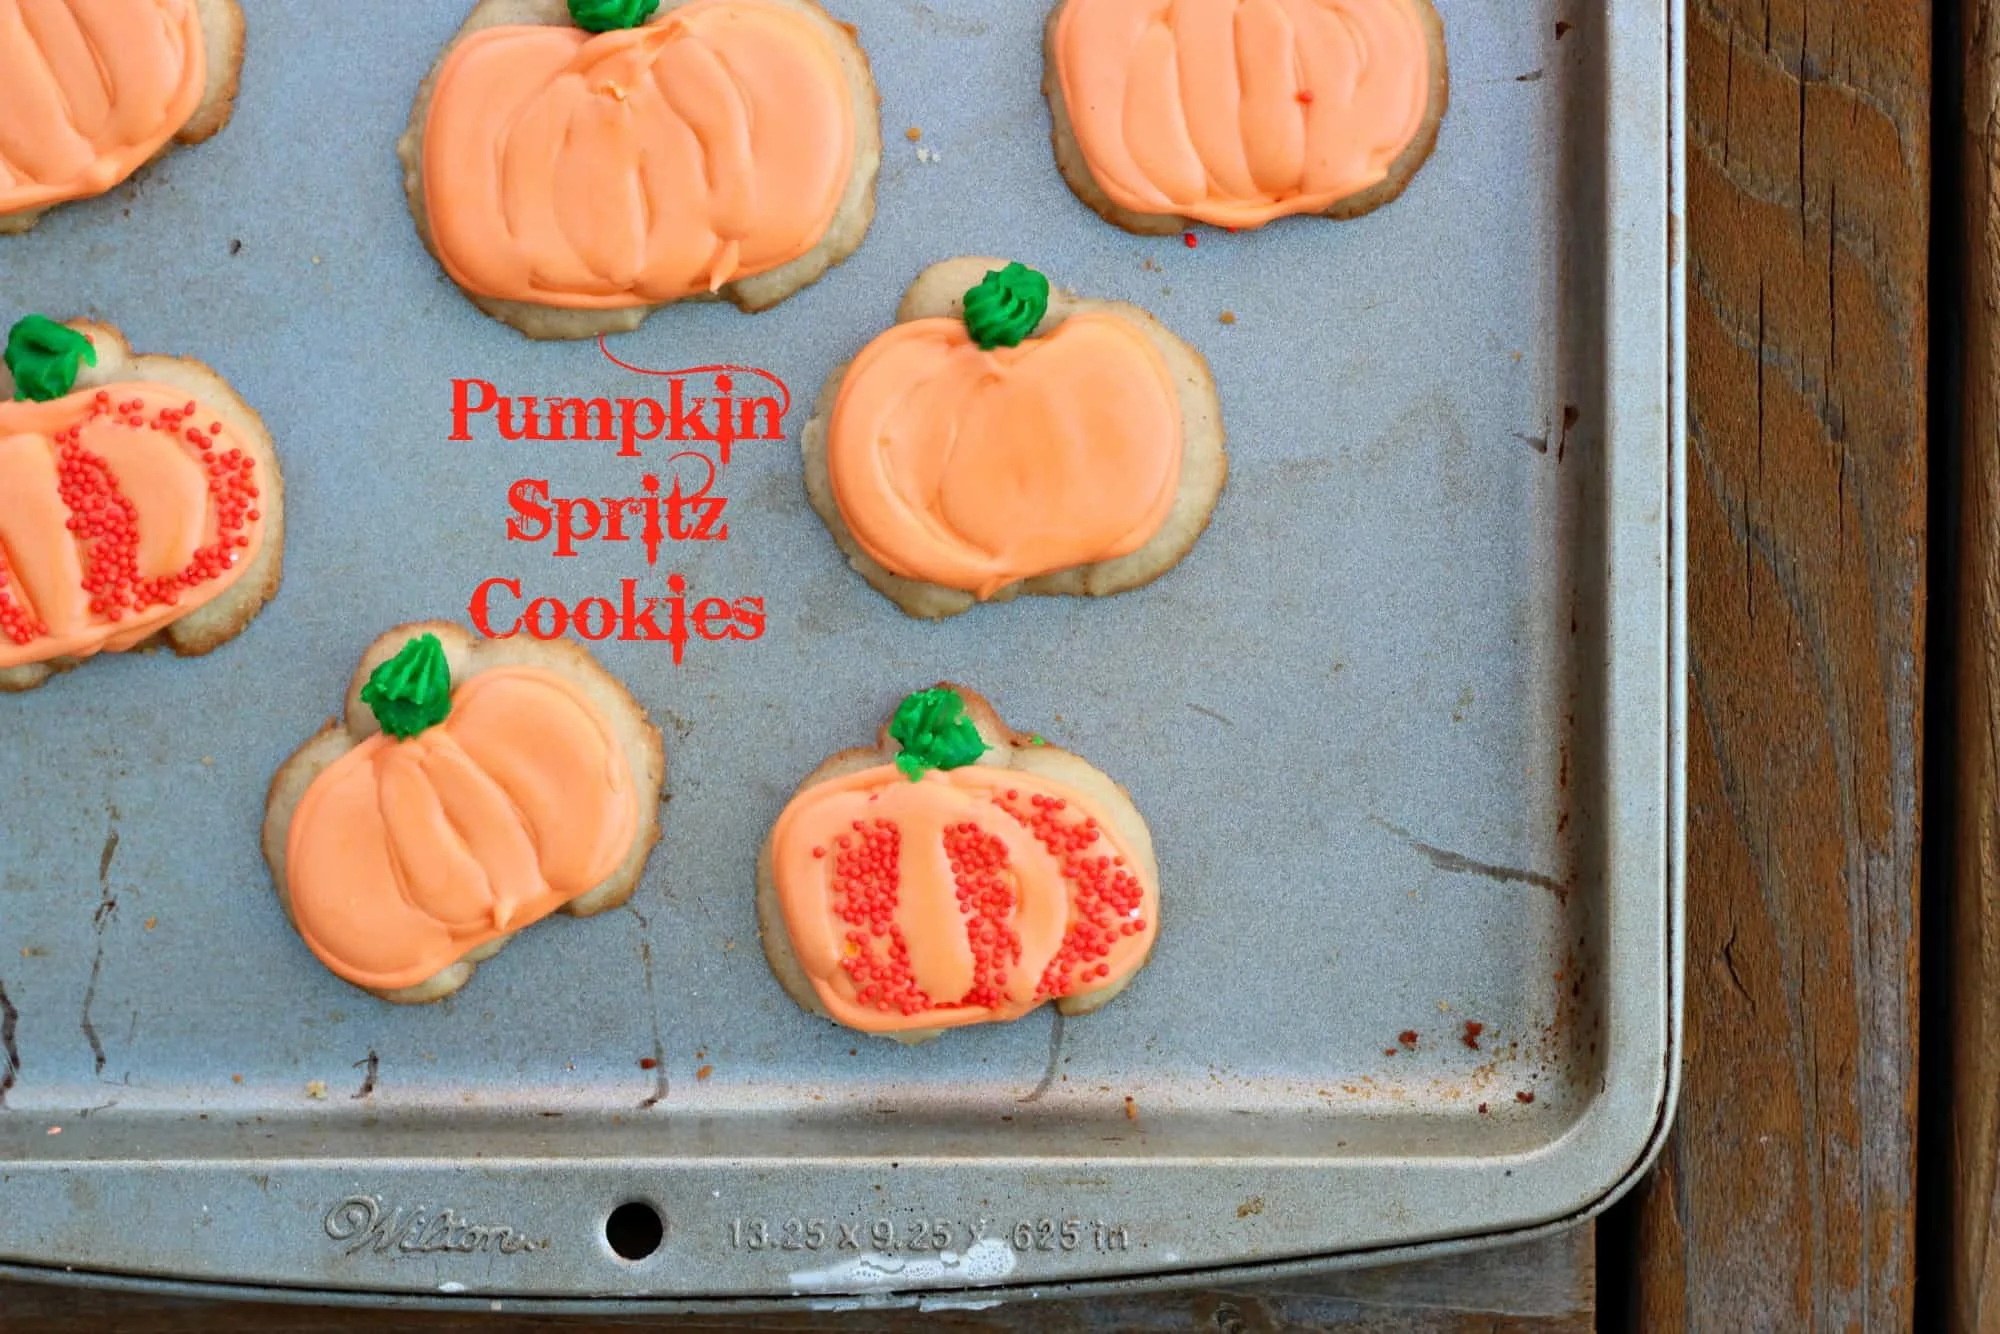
<point x="577" y="165"/>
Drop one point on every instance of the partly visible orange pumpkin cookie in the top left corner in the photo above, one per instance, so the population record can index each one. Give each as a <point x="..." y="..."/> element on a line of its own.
<point x="95" y="89"/>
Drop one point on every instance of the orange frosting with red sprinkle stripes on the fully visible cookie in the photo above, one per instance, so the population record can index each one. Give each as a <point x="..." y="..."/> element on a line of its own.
<point x="967" y="897"/>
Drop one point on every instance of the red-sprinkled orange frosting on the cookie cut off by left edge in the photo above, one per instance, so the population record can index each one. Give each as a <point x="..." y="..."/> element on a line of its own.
<point x="167" y="517"/>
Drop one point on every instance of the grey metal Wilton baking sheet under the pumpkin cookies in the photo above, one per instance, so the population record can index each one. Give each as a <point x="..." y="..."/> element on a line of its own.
<point x="1407" y="727"/>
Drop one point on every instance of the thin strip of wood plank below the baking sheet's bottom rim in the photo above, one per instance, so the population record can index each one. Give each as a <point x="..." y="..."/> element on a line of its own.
<point x="1535" y="1289"/>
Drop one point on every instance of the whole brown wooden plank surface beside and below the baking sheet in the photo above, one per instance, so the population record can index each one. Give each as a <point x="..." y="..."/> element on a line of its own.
<point x="1789" y="1197"/>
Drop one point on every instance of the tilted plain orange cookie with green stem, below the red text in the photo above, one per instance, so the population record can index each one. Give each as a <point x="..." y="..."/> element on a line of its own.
<point x="475" y="789"/>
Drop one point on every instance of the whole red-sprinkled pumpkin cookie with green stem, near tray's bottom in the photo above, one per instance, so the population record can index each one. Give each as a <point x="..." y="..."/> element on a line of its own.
<point x="957" y="873"/>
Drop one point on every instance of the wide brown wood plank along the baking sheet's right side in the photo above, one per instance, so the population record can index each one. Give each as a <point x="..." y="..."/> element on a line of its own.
<point x="1789" y="1187"/>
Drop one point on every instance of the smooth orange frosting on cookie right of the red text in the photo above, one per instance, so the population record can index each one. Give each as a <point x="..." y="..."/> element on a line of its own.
<point x="977" y="469"/>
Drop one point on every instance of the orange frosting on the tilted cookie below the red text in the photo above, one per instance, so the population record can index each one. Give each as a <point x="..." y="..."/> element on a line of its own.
<point x="405" y="857"/>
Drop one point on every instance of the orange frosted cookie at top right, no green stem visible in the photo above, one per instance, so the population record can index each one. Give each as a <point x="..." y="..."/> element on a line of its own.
<point x="1243" y="111"/>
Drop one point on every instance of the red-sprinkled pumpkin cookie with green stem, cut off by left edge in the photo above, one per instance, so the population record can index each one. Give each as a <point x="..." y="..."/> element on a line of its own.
<point x="139" y="501"/>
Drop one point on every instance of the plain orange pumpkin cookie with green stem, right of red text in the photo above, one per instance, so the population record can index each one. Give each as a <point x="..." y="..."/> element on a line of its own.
<point x="1007" y="439"/>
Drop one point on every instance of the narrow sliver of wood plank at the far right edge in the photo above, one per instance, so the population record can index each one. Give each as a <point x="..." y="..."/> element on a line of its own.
<point x="1971" y="1179"/>
